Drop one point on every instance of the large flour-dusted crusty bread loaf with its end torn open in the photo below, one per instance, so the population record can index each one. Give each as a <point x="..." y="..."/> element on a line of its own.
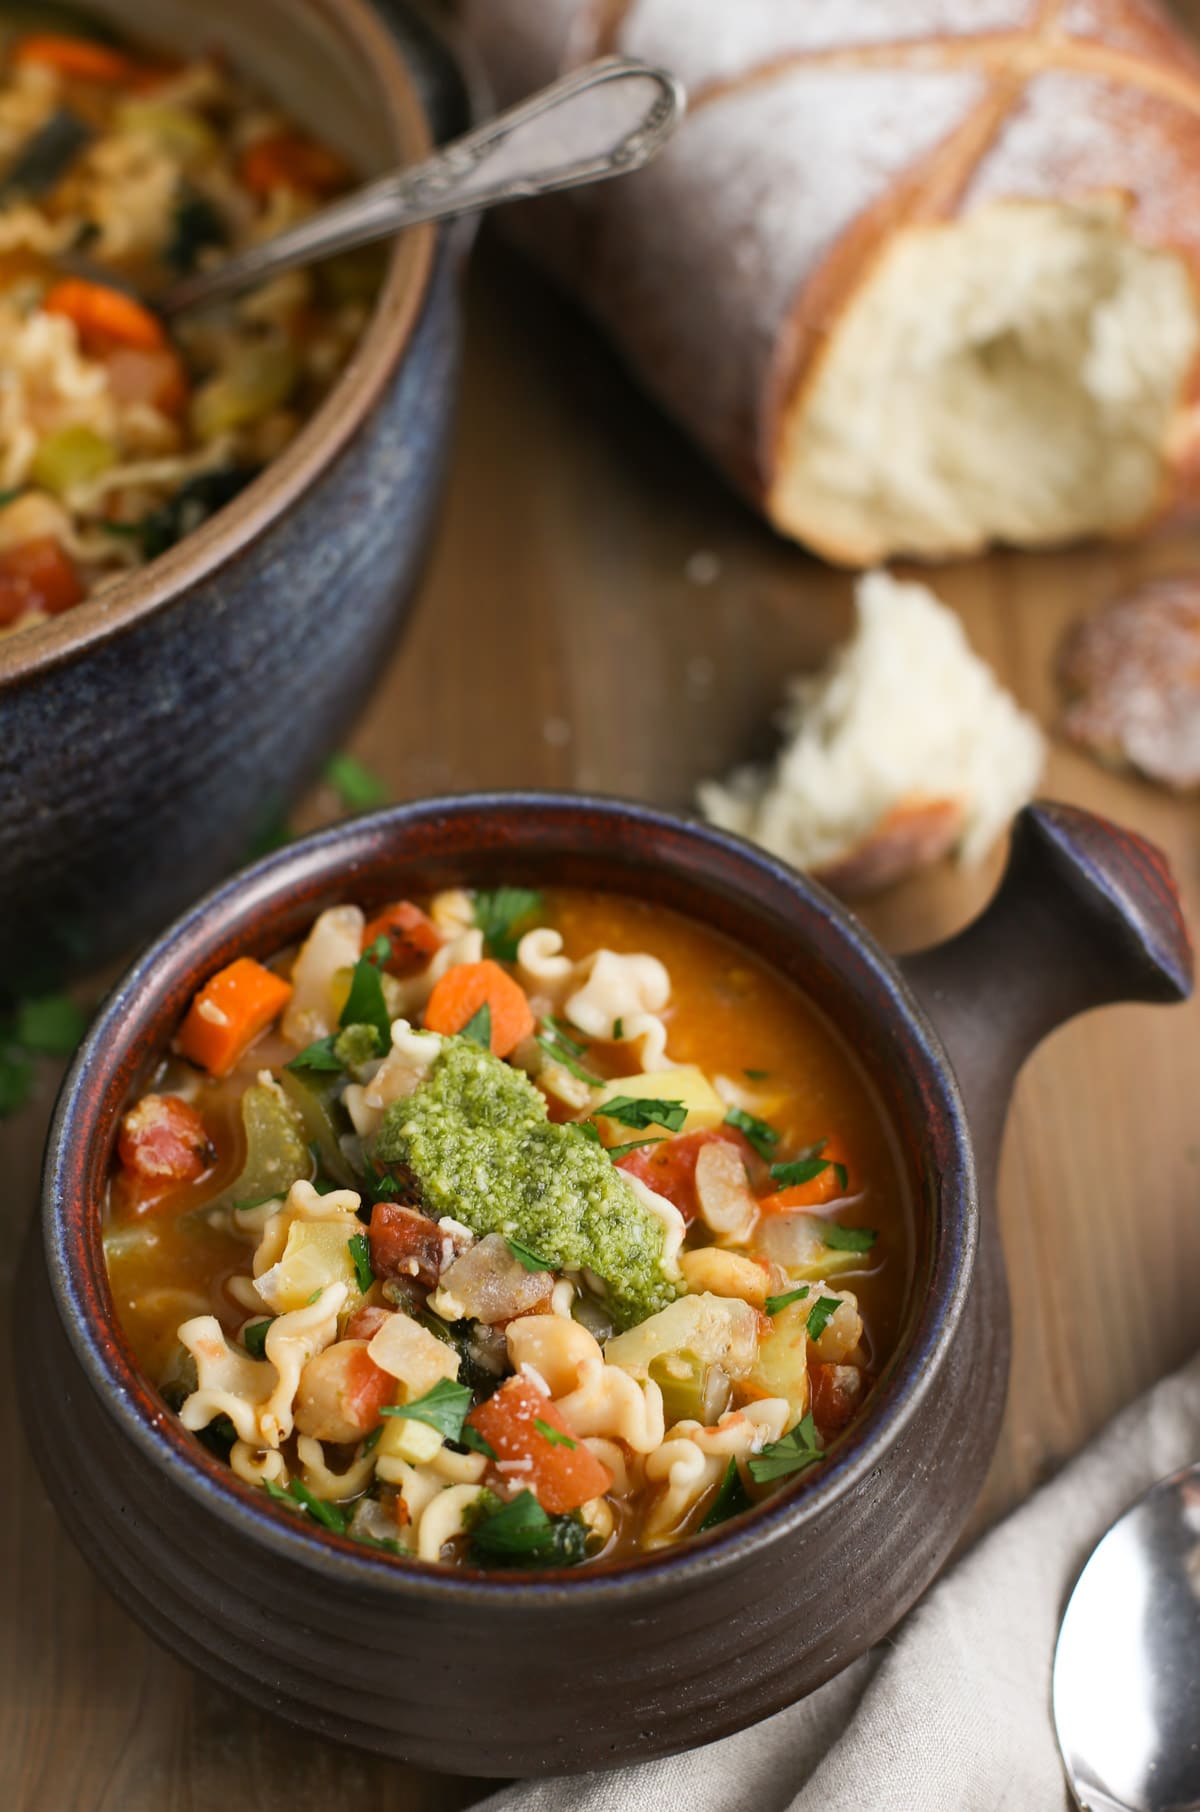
<point x="918" y="275"/>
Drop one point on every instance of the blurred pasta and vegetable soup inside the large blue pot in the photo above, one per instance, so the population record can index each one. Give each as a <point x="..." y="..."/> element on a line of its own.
<point x="119" y="438"/>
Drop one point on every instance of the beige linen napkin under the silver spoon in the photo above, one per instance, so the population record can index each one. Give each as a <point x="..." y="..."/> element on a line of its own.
<point x="953" y="1715"/>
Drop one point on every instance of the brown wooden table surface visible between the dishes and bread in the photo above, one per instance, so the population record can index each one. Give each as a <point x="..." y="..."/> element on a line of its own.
<point x="568" y="635"/>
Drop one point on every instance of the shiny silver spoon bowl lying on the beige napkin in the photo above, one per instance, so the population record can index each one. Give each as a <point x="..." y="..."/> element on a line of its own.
<point x="1127" y="1688"/>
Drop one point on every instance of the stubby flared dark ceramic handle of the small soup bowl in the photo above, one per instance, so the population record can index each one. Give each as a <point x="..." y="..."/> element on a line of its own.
<point x="1087" y="914"/>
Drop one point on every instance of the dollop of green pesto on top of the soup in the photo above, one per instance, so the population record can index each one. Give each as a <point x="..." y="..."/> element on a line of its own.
<point x="478" y="1139"/>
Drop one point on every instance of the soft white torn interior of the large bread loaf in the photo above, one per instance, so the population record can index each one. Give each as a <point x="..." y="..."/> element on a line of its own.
<point x="1009" y="378"/>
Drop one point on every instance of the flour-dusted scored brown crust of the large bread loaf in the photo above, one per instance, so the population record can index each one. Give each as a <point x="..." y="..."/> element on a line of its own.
<point x="820" y="131"/>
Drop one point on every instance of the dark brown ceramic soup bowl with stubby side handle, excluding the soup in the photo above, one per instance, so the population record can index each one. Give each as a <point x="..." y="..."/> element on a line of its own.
<point x="545" y="1673"/>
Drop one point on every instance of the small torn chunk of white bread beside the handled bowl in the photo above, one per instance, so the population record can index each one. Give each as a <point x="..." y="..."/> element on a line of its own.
<point x="902" y="749"/>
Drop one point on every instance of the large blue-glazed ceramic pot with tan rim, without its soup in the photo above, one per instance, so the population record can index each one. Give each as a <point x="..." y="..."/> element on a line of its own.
<point x="150" y="737"/>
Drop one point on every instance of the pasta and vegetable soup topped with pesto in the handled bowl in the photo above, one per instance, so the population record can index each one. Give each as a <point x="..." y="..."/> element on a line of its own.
<point x="465" y="1316"/>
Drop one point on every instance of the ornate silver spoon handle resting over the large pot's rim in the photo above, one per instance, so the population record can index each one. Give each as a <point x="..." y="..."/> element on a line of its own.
<point x="603" y="120"/>
